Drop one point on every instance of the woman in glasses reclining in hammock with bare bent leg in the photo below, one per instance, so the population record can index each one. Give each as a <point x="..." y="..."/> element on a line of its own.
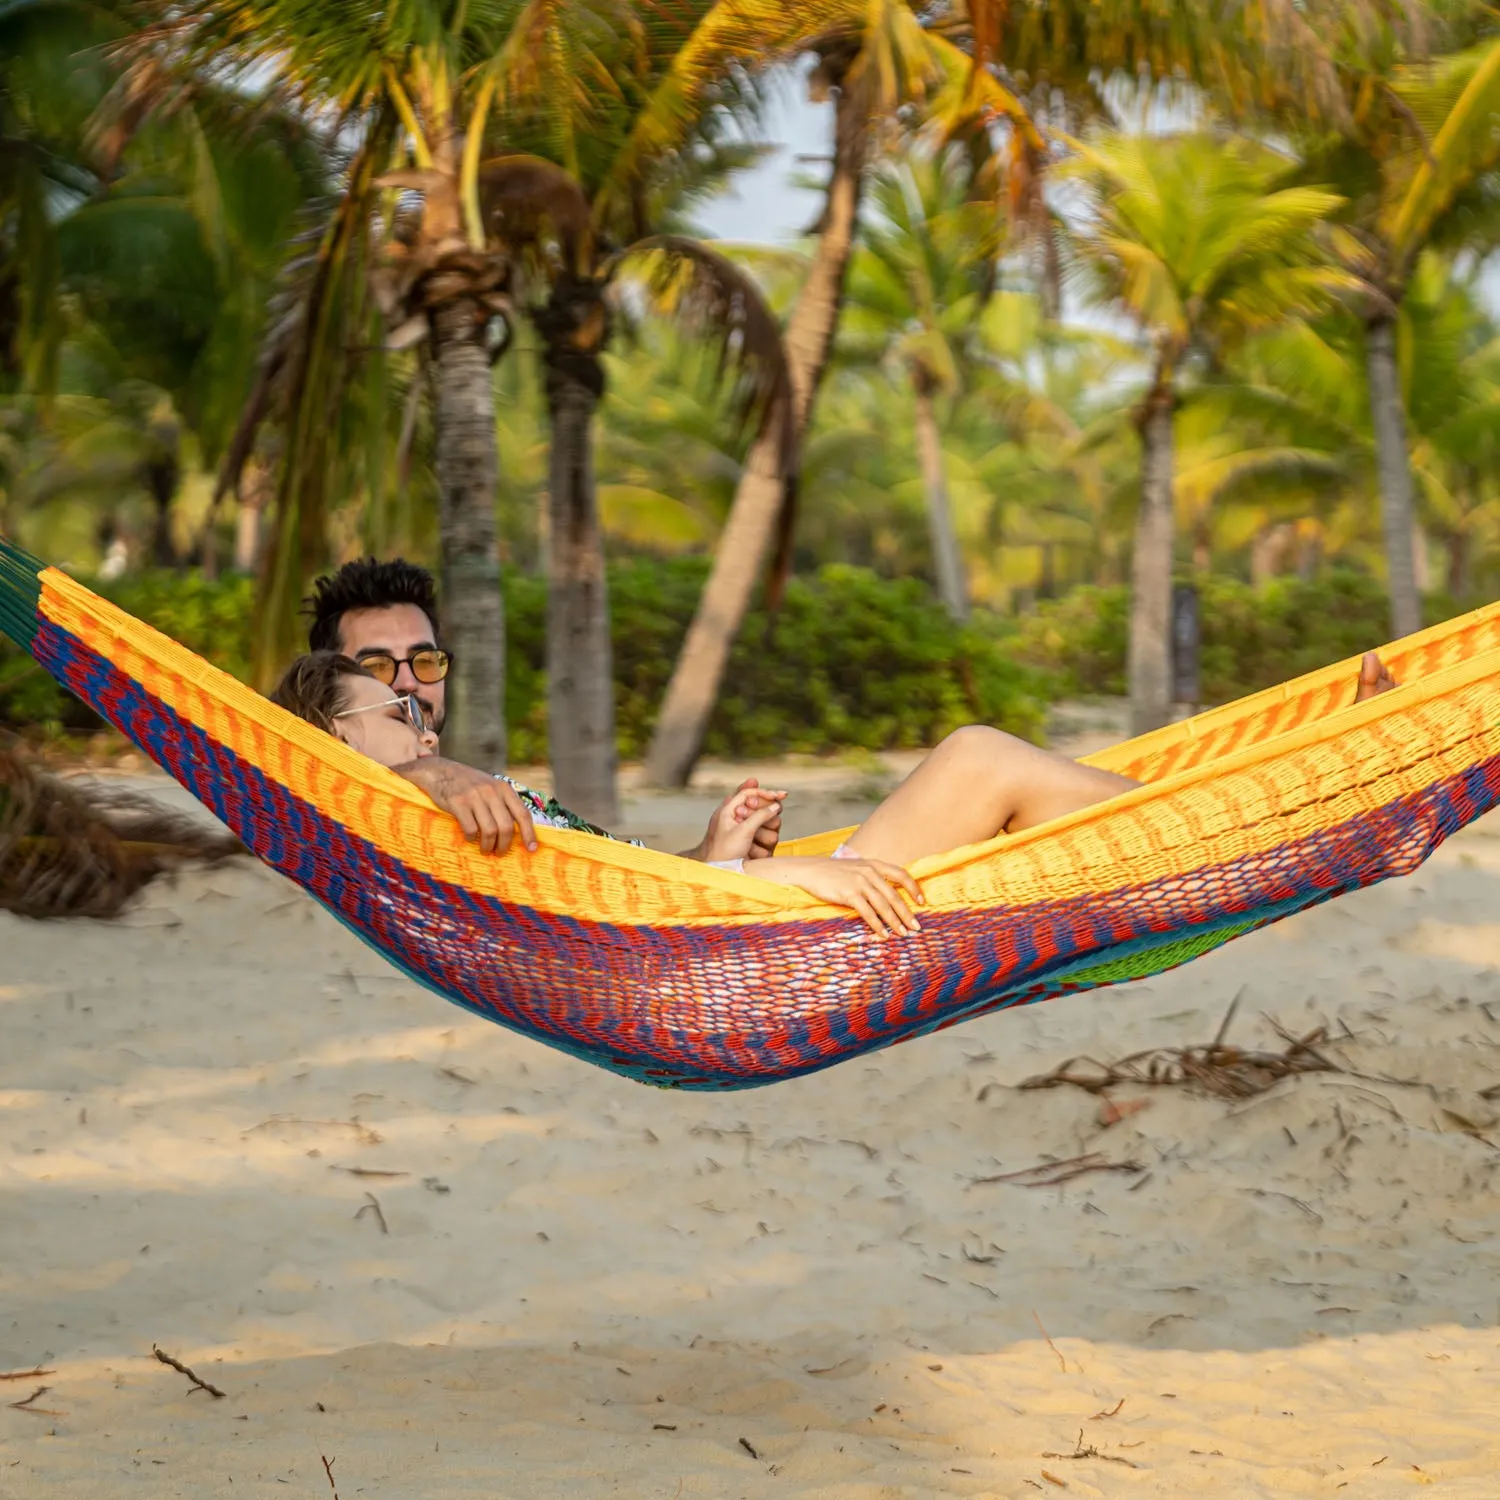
<point x="979" y="784"/>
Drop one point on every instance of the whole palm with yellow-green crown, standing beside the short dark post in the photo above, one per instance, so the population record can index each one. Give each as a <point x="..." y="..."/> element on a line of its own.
<point x="1198" y="245"/>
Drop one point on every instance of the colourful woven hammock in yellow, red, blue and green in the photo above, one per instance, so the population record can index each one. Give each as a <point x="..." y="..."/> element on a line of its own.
<point x="688" y="977"/>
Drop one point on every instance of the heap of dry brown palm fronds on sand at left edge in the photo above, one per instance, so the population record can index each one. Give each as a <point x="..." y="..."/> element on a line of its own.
<point x="83" y="851"/>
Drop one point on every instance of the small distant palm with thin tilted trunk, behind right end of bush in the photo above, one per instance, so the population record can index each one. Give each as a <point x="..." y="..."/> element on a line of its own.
<point x="916" y="292"/>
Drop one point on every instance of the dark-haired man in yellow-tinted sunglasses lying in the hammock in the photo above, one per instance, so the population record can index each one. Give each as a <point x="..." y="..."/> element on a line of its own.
<point x="385" y="617"/>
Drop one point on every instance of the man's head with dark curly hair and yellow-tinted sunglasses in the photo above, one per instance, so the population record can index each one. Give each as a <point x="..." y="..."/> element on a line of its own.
<point x="385" y="616"/>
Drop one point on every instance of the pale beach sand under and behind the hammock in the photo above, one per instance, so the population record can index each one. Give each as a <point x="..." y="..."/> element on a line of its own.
<point x="454" y="1264"/>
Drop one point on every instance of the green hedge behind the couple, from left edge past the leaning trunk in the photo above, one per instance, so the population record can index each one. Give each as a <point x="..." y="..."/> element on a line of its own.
<point x="851" y="661"/>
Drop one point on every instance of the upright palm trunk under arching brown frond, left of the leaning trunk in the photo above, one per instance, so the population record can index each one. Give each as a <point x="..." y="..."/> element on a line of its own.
<point x="581" y="677"/>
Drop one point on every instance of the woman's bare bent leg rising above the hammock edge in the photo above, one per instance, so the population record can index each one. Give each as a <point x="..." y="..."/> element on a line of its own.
<point x="979" y="784"/>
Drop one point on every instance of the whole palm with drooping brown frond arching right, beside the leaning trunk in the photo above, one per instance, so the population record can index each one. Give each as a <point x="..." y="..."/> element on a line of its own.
<point x="613" y="197"/>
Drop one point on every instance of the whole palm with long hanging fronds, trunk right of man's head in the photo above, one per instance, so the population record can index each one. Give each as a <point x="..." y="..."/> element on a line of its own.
<point x="404" y="254"/>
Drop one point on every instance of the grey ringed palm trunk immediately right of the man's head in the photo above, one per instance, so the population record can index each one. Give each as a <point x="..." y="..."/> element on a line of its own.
<point x="469" y="472"/>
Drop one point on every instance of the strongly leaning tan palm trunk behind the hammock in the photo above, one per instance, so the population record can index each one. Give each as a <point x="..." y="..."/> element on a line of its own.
<point x="761" y="493"/>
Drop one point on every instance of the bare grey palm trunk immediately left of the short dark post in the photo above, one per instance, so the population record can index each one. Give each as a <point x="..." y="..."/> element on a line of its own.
<point x="1151" y="571"/>
